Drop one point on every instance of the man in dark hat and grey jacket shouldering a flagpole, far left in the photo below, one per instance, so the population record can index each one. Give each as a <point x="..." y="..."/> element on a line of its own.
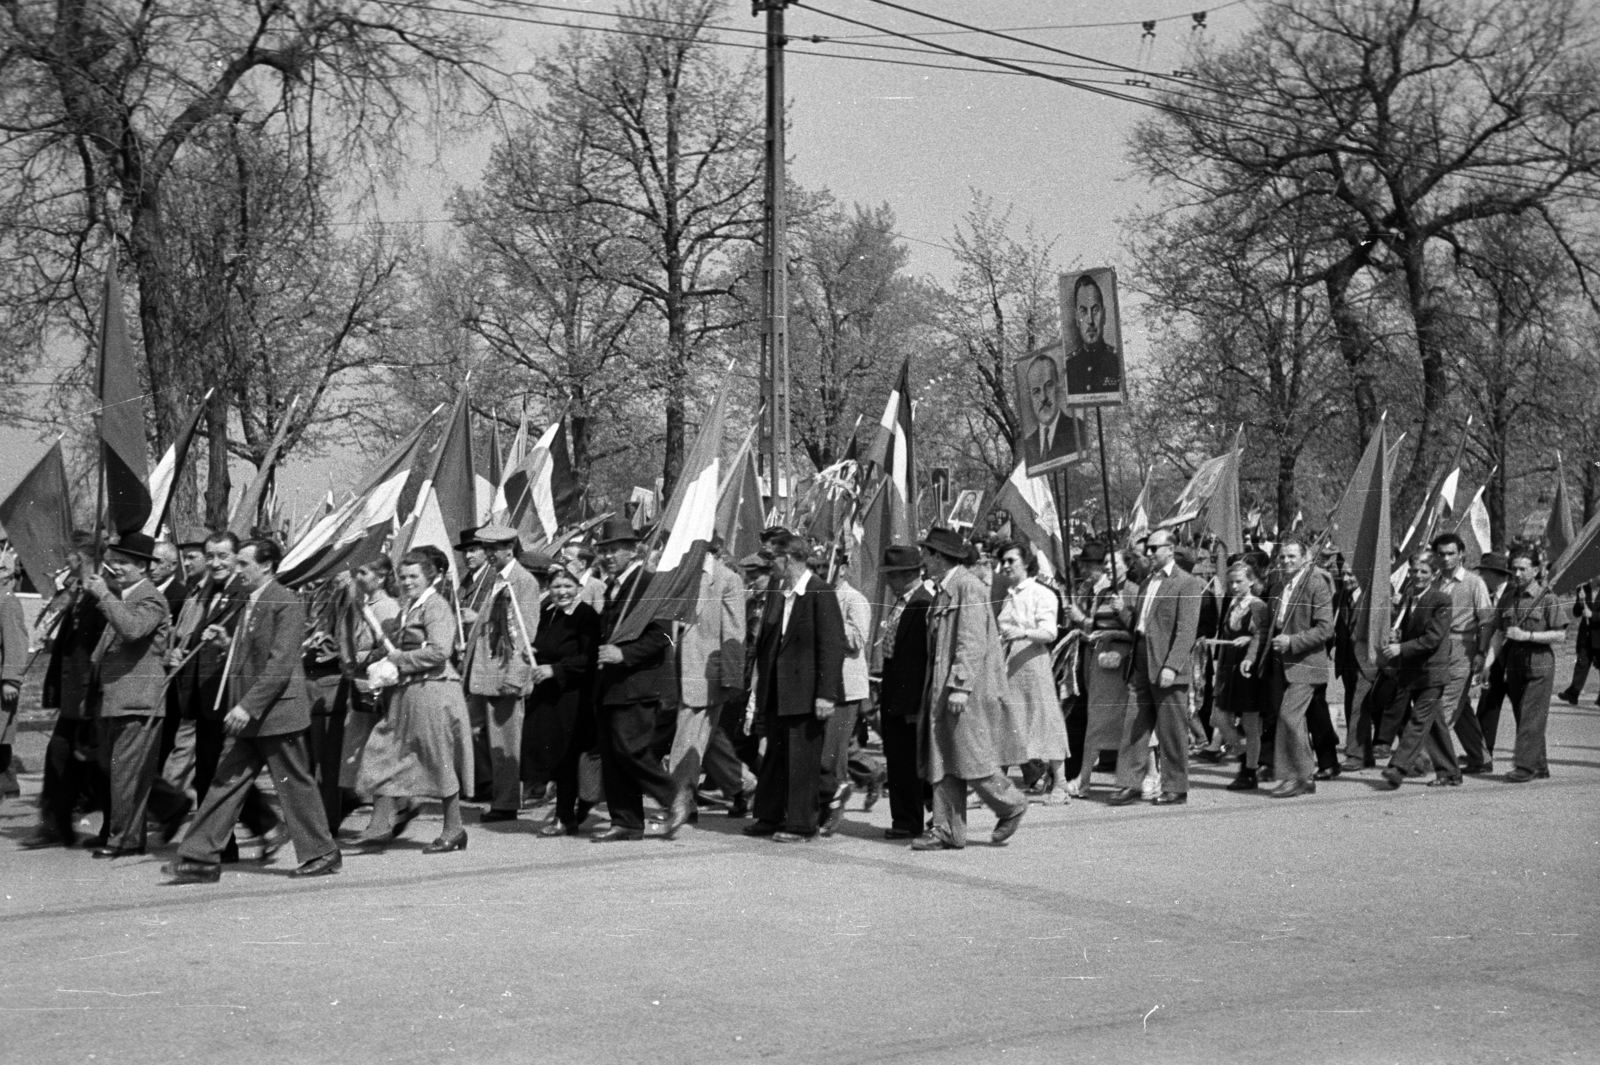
<point x="129" y="661"/>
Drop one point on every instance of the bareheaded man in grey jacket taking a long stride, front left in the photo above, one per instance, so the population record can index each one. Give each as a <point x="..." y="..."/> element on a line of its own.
<point x="268" y="725"/>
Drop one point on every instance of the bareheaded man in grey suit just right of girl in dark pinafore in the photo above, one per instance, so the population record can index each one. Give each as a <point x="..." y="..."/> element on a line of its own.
<point x="1302" y="607"/>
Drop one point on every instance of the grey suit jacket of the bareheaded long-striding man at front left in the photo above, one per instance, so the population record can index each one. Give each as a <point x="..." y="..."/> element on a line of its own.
<point x="268" y="674"/>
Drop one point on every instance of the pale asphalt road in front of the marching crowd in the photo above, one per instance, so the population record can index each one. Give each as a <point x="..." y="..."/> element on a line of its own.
<point x="1358" y="925"/>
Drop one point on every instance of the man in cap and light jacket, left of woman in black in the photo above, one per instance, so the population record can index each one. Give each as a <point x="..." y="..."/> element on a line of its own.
<point x="498" y="668"/>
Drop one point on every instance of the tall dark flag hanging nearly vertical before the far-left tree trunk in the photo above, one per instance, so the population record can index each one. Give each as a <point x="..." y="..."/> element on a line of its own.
<point x="121" y="418"/>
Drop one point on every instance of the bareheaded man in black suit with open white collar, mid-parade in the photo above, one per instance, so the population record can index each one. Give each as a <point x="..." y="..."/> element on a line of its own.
<point x="799" y="684"/>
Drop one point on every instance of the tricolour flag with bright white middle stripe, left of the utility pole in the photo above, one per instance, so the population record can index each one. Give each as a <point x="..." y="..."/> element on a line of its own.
<point x="674" y="586"/>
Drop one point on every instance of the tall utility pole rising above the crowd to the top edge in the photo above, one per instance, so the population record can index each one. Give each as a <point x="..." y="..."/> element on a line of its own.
<point x="777" y="441"/>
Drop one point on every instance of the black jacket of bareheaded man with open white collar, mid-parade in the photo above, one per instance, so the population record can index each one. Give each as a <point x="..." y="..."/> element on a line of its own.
<point x="806" y="663"/>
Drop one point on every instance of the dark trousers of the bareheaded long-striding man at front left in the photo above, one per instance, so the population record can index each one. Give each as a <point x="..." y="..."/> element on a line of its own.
<point x="289" y="760"/>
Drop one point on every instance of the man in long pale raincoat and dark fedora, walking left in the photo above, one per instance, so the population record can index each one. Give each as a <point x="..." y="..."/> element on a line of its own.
<point x="967" y="677"/>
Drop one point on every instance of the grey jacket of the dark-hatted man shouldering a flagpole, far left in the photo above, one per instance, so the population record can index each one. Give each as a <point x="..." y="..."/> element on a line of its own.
<point x="132" y="653"/>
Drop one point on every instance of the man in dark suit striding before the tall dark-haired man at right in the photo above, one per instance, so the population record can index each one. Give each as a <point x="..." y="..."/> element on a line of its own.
<point x="1422" y="648"/>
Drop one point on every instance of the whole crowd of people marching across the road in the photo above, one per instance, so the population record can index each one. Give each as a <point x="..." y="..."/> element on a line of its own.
<point x="180" y="671"/>
